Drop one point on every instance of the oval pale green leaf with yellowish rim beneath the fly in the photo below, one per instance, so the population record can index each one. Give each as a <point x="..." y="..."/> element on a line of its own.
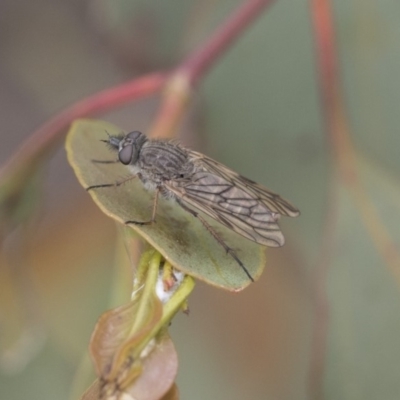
<point x="177" y="235"/>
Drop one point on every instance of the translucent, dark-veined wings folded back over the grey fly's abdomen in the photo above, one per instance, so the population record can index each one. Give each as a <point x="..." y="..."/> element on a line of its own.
<point x="233" y="201"/>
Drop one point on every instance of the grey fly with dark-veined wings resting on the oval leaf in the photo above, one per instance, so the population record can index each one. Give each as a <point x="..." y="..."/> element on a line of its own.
<point x="199" y="183"/>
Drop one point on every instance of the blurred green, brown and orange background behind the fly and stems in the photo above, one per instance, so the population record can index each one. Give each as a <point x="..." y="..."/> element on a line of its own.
<point x="257" y="111"/>
